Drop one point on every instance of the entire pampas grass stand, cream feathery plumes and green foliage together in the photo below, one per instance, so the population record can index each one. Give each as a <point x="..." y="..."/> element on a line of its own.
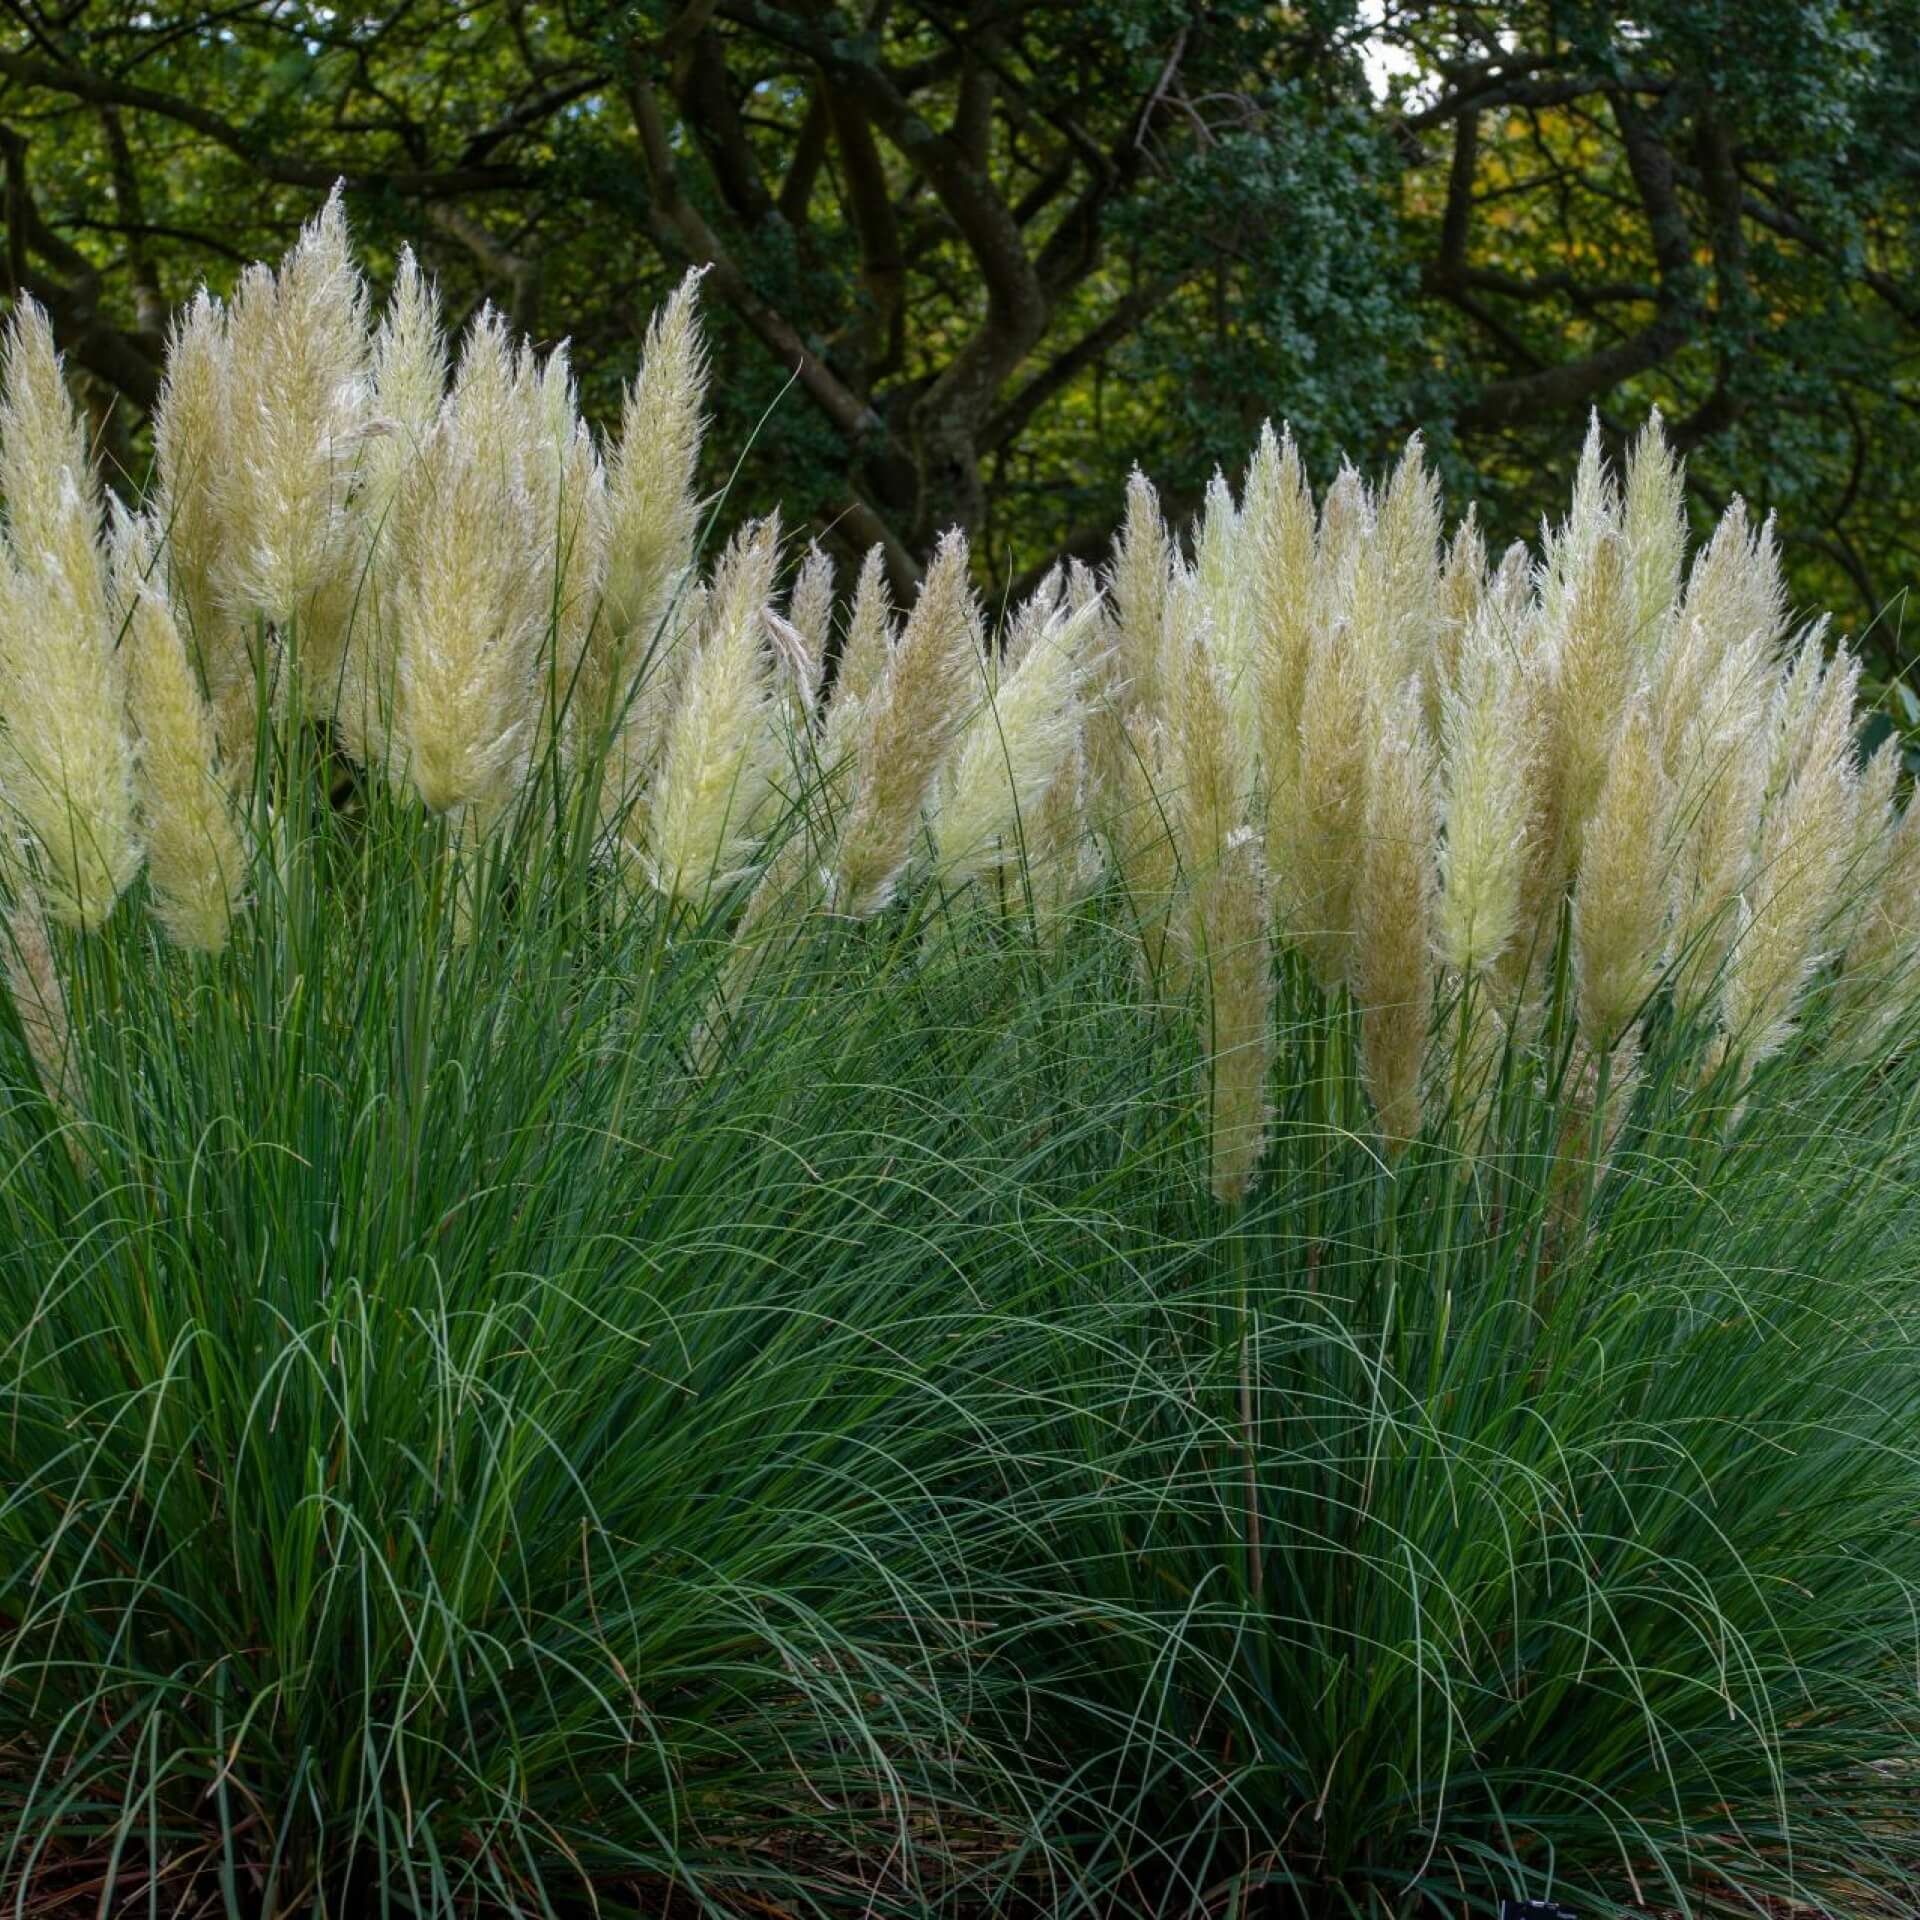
<point x="675" y="1247"/>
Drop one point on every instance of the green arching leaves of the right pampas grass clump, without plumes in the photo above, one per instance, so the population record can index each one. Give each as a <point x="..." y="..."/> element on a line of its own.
<point x="1577" y="1570"/>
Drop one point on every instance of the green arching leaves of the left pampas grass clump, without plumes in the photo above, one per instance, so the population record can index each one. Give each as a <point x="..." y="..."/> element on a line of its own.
<point x="458" y="1449"/>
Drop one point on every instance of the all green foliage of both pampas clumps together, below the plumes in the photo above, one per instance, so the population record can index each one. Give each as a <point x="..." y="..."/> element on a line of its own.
<point x="464" y="1452"/>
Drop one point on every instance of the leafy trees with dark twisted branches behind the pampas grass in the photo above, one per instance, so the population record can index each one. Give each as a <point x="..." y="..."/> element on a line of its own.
<point x="969" y="262"/>
